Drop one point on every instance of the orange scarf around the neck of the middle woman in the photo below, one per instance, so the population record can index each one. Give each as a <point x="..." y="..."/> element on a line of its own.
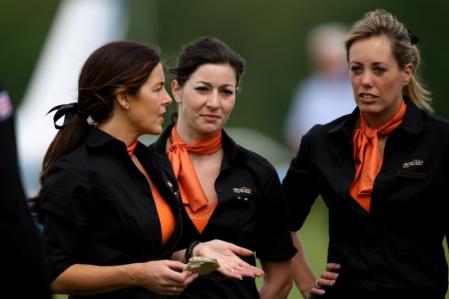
<point x="193" y="197"/>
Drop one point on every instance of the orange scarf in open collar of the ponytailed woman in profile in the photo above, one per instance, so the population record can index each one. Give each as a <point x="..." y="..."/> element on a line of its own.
<point x="166" y="217"/>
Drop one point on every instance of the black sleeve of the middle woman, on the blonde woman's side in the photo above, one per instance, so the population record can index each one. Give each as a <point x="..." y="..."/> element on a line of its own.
<point x="273" y="236"/>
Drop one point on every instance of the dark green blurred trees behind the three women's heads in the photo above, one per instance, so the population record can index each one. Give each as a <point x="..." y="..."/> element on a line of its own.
<point x="270" y="35"/>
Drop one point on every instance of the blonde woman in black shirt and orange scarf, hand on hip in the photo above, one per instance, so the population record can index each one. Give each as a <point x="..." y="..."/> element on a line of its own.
<point x="381" y="171"/>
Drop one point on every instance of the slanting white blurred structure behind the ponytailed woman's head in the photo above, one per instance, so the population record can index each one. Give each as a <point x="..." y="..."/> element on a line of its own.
<point x="80" y="26"/>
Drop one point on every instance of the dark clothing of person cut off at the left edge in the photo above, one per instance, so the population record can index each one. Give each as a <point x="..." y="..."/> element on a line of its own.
<point x="21" y="255"/>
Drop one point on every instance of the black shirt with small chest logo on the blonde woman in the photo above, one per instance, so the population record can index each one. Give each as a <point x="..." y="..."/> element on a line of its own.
<point x="397" y="247"/>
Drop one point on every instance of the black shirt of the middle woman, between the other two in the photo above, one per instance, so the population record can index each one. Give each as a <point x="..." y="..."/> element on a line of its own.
<point x="250" y="213"/>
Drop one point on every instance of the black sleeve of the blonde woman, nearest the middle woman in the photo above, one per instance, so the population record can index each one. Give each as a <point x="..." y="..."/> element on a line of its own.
<point x="299" y="185"/>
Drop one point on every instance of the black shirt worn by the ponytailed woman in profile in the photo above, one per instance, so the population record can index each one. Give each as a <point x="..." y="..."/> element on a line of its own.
<point x="99" y="210"/>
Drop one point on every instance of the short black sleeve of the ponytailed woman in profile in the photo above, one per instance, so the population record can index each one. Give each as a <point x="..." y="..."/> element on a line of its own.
<point x="65" y="198"/>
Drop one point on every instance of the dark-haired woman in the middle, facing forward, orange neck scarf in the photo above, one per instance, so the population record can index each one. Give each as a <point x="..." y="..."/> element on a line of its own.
<point x="227" y="191"/>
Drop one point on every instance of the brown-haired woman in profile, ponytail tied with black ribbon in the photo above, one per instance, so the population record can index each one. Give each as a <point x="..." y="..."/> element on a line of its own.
<point x="108" y="231"/>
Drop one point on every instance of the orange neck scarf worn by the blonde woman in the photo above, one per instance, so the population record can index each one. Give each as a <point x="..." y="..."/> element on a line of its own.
<point x="367" y="156"/>
